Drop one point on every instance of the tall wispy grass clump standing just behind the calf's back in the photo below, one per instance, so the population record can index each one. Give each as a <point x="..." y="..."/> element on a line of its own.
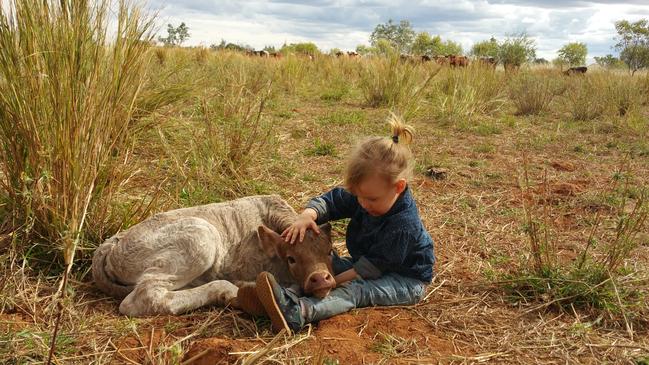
<point x="233" y="130"/>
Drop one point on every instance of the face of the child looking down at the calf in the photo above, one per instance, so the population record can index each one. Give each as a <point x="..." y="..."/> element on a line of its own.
<point x="377" y="195"/>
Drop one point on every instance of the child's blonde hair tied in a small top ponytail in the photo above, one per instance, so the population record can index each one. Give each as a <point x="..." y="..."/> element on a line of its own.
<point x="387" y="157"/>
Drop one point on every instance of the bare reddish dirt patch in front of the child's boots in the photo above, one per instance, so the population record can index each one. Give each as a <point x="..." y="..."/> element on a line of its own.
<point x="363" y="336"/>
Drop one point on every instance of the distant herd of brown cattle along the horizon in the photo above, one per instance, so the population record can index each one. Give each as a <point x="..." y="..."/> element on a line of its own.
<point x="447" y="60"/>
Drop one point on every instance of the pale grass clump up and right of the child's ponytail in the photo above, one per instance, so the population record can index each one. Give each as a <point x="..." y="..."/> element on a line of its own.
<point x="461" y="94"/>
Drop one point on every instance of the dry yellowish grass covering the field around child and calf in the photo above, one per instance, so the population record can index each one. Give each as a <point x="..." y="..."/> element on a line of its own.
<point x="476" y="215"/>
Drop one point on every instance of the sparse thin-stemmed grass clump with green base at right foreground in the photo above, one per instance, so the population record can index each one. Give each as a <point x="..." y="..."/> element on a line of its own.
<point x="600" y="281"/>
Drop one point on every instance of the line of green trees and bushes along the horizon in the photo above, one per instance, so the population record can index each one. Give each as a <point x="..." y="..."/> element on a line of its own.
<point x="517" y="49"/>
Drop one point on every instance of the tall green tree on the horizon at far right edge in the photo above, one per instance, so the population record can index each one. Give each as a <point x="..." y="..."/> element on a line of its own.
<point x="633" y="43"/>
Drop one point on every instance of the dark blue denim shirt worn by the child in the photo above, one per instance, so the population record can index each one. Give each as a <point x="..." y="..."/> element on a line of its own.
<point x="394" y="242"/>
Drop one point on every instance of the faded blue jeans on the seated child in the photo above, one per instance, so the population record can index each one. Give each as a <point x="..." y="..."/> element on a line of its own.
<point x="389" y="289"/>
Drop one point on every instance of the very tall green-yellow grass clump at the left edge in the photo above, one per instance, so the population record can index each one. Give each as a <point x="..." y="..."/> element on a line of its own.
<point x="69" y="90"/>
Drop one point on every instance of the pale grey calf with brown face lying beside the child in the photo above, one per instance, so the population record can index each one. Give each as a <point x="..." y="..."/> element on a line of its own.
<point x="180" y="260"/>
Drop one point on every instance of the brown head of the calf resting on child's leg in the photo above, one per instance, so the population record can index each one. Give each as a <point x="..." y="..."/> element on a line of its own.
<point x="309" y="261"/>
